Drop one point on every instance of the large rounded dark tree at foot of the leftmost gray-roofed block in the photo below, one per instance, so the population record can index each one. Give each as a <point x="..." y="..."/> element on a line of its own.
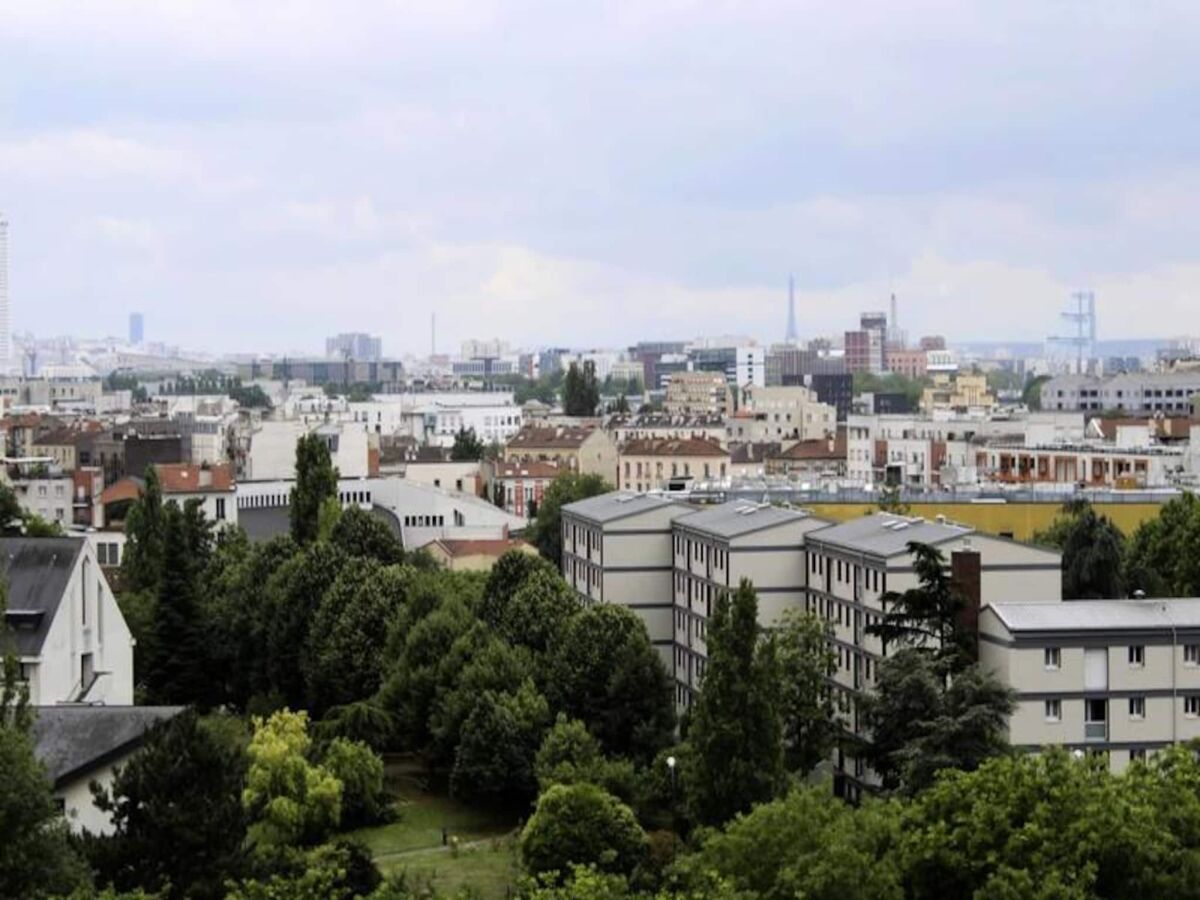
<point x="605" y="673"/>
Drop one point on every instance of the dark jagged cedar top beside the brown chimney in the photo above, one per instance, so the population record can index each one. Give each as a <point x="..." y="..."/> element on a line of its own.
<point x="928" y="616"/>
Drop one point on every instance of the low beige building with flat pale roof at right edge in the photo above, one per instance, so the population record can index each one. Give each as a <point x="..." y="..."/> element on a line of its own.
<point x="1118" y="677"/>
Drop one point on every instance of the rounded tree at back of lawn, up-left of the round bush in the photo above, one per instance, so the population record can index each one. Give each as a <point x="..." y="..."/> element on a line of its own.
<point x="500" y="740"/>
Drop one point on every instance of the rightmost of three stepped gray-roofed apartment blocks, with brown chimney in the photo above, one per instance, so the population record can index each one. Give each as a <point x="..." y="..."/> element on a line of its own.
<point x="853" y="566"/>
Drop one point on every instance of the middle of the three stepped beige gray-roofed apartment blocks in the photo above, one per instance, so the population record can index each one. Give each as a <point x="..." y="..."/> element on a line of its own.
<point x="713" y="551"/>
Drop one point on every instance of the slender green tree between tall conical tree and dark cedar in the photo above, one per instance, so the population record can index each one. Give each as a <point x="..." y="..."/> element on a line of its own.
<point x="807" y="662"/>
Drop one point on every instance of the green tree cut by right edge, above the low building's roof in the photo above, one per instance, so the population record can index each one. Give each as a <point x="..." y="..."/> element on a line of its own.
<point x="1163" y="559"/>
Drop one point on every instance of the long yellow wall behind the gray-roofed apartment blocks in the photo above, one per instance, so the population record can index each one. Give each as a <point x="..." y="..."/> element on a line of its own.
<point x="1022" y="520"/>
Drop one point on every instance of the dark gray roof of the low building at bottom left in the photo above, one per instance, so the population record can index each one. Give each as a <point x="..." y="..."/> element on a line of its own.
<point x="73" y="741"/>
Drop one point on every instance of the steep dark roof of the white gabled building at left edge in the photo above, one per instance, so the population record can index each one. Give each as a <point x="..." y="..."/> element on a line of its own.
<point x="38" y="572"/>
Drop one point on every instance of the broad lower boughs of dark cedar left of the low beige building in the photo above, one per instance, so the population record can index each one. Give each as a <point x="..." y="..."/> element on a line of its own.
<point x="922" y="724"/>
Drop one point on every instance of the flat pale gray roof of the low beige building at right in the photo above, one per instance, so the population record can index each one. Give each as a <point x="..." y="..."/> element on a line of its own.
<point x="1100" y="615"/>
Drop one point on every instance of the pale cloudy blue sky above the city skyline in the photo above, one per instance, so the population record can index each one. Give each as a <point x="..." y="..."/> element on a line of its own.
<point x="257" y="176"/>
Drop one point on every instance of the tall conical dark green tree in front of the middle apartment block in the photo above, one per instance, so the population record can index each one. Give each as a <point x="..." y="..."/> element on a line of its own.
<point x="736" y="757"/>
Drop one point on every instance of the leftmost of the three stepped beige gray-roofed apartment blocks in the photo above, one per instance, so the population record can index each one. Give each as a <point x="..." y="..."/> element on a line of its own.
<point x="617" y="550"/>
